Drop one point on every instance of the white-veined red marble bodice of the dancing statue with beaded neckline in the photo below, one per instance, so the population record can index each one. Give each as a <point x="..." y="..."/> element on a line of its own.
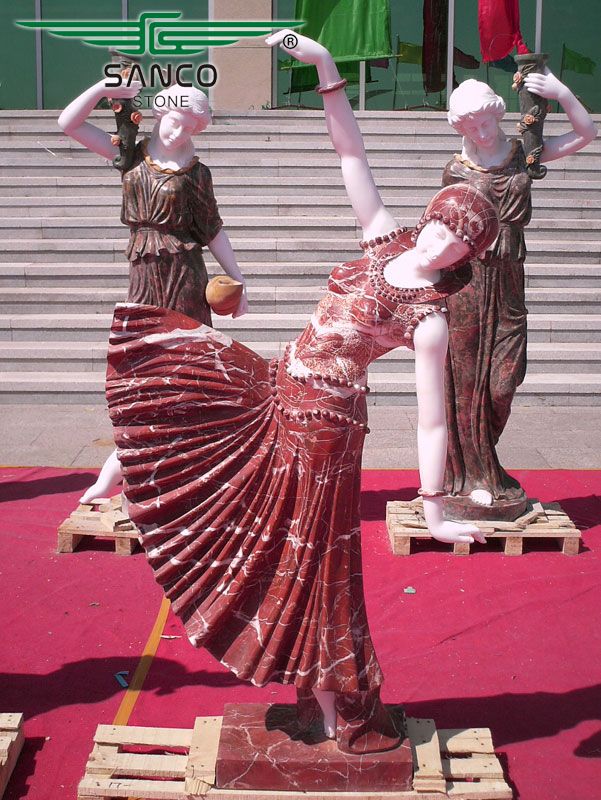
<point x="362" y="316"/>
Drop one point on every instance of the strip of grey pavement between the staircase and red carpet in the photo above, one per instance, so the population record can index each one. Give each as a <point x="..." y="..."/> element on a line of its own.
<point x="535" y="438"/>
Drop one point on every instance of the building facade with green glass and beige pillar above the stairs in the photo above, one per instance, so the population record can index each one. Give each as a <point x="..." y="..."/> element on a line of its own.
<point x="52" y="73"/>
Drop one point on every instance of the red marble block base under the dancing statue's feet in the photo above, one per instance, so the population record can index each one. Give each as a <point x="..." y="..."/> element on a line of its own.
<point x="262" y="747"/>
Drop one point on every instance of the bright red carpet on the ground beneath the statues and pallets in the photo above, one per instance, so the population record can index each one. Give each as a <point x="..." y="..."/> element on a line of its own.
<point x="509" y="643"/>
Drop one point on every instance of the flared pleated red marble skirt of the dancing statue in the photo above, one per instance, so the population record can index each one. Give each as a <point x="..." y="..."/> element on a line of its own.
<point x="244" y="482"/>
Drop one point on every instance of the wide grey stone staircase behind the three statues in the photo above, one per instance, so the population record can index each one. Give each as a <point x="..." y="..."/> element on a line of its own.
<point x="280" y="193"/>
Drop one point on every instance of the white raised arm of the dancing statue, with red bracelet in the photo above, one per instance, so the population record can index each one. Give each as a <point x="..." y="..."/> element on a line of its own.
<point x="344" y="133"/>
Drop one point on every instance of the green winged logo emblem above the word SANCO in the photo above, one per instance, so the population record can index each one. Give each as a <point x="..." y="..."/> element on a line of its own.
<point x="159" y="32"/>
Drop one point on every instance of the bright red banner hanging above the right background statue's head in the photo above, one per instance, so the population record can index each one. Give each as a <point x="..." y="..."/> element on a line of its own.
<point x="499" y="26"/>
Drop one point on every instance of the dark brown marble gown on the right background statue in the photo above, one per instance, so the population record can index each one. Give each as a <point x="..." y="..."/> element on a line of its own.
<point x="487" y="334"/>
